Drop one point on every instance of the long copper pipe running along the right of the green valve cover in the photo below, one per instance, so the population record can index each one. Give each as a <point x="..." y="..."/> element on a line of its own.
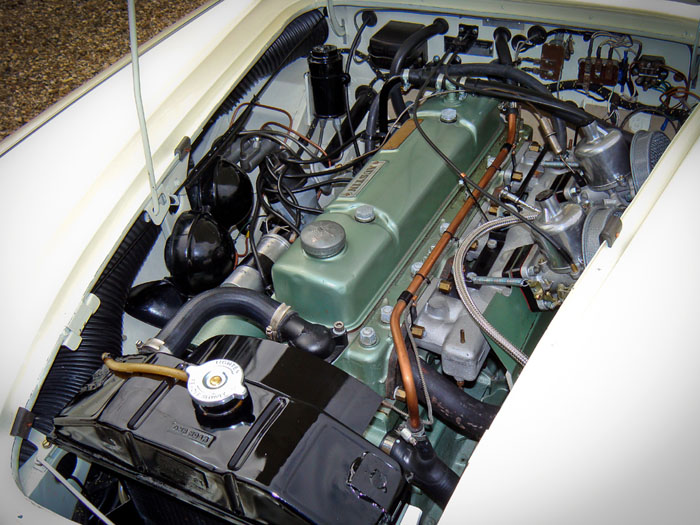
<point x="409" y="384"/>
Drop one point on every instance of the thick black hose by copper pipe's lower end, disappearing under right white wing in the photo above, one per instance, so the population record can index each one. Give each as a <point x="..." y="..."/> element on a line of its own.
<point x="451" y="404"/>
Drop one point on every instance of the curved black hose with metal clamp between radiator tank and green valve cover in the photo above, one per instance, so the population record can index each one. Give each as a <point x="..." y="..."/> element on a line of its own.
<point x="254" y="306"/>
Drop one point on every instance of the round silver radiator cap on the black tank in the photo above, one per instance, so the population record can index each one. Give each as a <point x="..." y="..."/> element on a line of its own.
<point x="216" y="383"/>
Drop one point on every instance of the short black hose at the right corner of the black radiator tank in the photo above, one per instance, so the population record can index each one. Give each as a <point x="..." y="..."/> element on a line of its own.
<point x="429" y="473"/>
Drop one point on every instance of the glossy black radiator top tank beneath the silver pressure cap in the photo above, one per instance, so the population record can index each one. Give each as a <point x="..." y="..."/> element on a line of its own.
<point x="291" y="452"/>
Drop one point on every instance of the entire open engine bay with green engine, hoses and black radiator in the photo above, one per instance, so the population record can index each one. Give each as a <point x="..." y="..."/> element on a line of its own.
<point x="374" y="232"/>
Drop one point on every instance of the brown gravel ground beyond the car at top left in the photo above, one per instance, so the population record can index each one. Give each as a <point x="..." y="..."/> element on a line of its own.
<point x="50" y="47"/>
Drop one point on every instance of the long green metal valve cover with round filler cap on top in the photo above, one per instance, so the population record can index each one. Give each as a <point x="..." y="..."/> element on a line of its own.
<point x="407" y="185"/>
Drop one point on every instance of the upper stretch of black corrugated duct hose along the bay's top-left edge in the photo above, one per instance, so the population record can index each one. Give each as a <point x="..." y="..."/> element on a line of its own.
<point x="305" y="26"/>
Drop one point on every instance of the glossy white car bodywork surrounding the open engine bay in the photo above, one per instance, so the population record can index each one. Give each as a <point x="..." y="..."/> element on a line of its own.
<point x="74" y="178"/>
